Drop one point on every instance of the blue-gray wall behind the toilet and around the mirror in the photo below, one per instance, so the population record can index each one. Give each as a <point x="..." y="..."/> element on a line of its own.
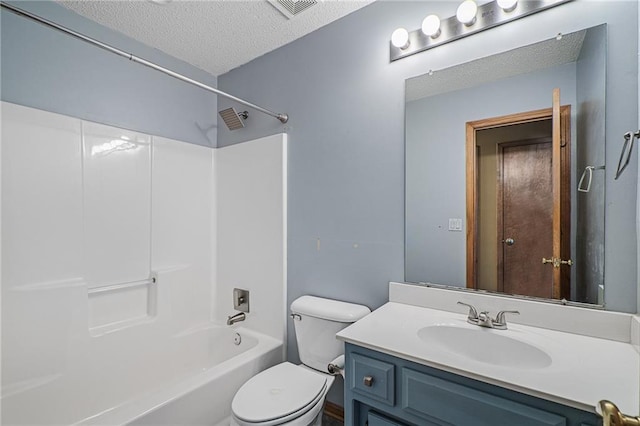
<point x="346" y="152"/>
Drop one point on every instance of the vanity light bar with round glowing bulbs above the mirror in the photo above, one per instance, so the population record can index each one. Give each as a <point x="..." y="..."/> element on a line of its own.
<point x="470" y="19"/>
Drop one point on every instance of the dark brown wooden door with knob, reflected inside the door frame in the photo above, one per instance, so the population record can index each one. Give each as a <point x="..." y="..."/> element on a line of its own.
<point x="525" y="216"/>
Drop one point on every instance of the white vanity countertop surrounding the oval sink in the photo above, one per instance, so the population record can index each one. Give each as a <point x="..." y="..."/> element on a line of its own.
<point x="583" y="371"/>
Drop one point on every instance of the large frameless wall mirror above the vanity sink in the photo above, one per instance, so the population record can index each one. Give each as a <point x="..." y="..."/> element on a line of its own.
<point x="493" y="201"/>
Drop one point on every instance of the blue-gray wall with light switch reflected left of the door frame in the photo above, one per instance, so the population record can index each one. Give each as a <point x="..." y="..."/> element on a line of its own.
<point x="436" y="167"/>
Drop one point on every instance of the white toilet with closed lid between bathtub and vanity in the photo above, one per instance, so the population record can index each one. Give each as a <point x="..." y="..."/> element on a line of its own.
<point x="289" y="394"/>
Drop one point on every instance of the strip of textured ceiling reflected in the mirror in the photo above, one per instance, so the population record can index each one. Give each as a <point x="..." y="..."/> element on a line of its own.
<point x="545" y="54"/>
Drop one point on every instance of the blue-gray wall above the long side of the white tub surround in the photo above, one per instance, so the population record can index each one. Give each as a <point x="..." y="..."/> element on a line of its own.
<point x="45" y="69"/>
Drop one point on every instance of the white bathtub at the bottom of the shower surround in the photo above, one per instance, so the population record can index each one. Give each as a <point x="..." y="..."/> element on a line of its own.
<point x="189" y="380"/>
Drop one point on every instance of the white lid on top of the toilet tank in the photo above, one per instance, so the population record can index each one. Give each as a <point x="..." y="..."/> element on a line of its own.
<point x="329" y="309"/>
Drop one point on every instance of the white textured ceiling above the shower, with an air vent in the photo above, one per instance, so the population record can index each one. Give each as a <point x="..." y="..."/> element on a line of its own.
<point x="214" y="35"/>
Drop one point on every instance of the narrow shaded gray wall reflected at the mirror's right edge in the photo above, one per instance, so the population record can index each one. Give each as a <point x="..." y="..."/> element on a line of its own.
<point x="589" y="257"/>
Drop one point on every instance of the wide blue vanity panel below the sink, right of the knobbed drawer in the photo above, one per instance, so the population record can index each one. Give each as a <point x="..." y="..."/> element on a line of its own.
<point x="440" y="400"/>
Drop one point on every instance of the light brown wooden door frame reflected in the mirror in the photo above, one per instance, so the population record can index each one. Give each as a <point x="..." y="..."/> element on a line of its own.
<point x="562" y="289"/>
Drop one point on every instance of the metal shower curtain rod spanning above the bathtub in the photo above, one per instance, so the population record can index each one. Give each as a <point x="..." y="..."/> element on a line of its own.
<point x="280" y="116"/>
